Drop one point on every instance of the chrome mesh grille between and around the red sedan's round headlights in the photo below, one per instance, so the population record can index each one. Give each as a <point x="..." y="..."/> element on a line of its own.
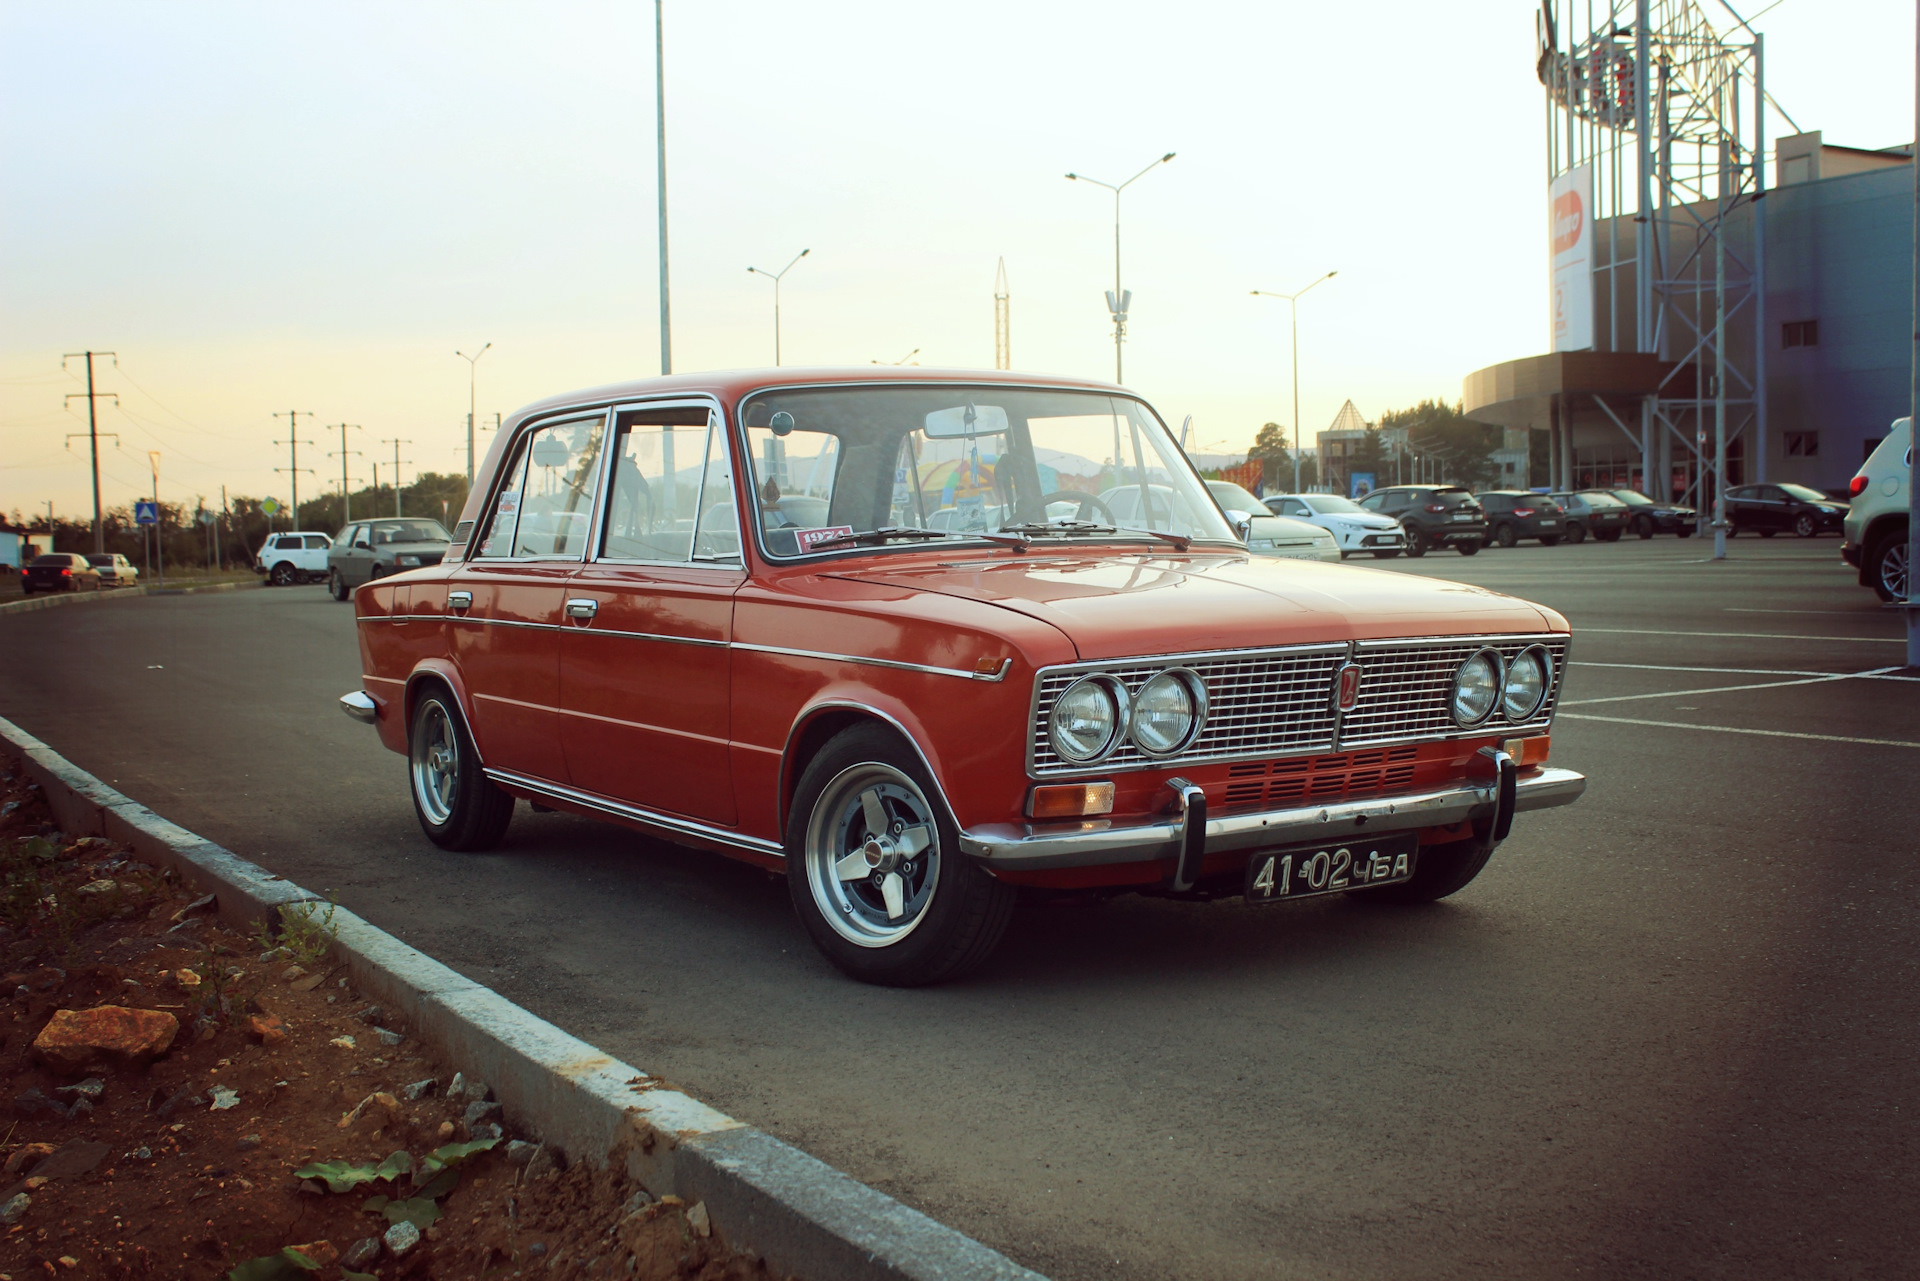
<point x="1280" y="702"/>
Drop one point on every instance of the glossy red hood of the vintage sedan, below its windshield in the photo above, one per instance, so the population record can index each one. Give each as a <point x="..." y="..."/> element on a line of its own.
<point x="1124" y="606"/>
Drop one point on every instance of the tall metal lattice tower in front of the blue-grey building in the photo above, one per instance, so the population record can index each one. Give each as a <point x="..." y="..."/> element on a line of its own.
<point x="1671" y="116"/>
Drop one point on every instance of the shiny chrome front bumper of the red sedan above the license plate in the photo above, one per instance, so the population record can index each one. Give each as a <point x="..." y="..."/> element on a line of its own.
<point x="1032" y="848"/>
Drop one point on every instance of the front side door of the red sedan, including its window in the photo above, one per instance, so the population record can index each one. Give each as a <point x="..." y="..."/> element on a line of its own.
<point x="644" y="654"/>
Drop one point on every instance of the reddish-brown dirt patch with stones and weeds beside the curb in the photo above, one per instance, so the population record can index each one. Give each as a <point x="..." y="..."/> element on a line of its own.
<point x="287" y="1128"/>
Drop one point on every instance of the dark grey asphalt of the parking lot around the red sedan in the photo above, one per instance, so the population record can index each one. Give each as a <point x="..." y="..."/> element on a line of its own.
<point x="1671" y="1030"/>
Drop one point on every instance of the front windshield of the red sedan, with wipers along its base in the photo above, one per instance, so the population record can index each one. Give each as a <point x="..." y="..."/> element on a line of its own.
<point x="955" y="460"/>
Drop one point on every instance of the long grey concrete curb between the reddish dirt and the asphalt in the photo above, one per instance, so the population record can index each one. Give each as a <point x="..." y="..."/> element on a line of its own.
<point x="765" y="1196"/>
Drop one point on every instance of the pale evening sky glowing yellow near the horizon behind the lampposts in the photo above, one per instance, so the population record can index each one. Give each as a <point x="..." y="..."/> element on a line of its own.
<point x="270" y="208"/>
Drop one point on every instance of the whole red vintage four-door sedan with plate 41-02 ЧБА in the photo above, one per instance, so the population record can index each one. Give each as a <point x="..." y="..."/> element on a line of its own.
<point x="882" y="633"/>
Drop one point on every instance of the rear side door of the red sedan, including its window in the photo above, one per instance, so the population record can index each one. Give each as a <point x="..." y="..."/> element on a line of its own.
<point x="506" y="602"/>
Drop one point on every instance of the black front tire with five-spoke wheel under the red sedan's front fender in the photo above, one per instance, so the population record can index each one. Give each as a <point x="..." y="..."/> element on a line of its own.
<point x="955" y="911"/>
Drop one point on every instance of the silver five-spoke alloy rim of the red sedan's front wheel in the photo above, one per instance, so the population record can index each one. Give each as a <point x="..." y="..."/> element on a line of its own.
<point x="873" y="856"/>
